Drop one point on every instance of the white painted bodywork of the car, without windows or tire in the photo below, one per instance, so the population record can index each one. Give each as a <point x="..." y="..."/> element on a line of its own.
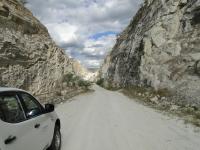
<point x="27" y="136"/>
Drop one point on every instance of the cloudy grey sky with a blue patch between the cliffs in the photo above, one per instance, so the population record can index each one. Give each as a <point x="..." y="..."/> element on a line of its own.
<point x="86" y="29"/>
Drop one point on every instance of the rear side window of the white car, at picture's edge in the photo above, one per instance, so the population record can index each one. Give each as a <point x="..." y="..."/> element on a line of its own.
<point x="10" y="109"/>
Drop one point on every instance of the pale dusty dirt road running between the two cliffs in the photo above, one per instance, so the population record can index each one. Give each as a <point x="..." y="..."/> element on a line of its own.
<point x="106" y="120"/>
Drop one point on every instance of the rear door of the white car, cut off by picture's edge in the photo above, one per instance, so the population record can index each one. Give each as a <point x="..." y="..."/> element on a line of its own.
<point x="16" y="132"/>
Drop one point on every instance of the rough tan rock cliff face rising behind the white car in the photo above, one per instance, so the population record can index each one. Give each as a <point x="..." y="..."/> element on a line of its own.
<point x="29" y="58"/>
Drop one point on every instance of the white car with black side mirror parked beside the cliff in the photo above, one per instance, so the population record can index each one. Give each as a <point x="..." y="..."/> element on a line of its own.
<point x="25" y="124"/>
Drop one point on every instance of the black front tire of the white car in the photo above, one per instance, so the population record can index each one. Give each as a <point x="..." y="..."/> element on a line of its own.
<point x="57" y="141"/>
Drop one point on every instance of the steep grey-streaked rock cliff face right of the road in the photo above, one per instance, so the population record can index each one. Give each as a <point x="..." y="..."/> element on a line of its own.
<point x="160" y="48"/>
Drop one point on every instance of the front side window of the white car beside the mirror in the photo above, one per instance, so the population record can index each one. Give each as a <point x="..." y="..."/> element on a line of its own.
<point x="32" y="107"/>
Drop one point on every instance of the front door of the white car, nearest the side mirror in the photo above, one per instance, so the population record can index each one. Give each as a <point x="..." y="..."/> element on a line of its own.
<point x="37" y="118"/>
